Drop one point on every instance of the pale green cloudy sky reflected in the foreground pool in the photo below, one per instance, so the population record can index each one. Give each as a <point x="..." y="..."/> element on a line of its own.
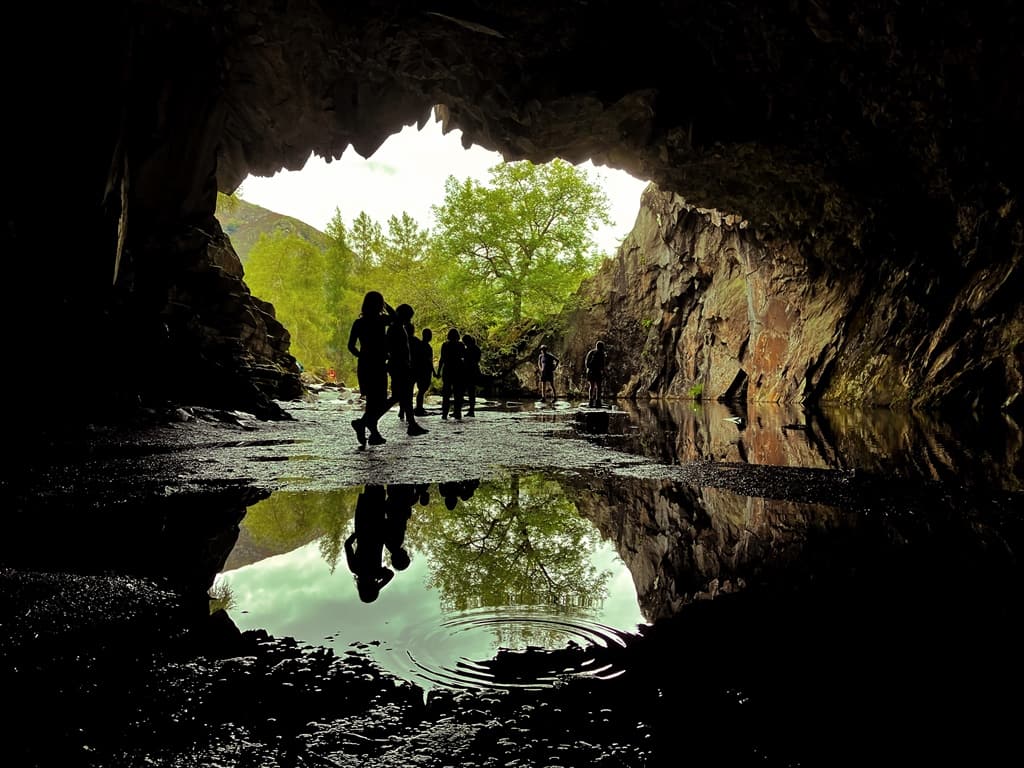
<point x="295" y="595"/>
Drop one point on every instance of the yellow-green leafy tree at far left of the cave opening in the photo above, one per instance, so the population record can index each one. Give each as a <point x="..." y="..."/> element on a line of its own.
<point x="290" y="273"/>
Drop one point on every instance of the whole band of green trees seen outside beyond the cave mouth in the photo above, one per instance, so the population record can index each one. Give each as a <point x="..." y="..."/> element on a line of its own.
<point x="502" y="255"/>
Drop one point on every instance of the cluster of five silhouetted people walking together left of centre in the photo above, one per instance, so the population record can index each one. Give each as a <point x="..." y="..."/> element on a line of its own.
<point x="385" y="344"/>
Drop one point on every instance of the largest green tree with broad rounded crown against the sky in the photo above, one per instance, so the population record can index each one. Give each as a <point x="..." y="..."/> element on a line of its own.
<point x="522" y="244"/>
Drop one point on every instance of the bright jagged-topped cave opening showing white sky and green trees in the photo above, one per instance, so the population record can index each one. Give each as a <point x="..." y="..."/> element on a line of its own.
<point x="313" y="242"/>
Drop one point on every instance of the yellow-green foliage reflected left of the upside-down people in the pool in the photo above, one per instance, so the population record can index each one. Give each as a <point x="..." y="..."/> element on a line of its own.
<point x="290" y="520"/>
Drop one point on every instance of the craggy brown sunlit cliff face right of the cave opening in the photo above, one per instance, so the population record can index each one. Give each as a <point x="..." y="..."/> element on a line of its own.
<point x="697" y="305"/>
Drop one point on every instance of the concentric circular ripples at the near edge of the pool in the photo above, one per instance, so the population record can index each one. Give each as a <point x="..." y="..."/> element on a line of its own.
<point x="518" y="648"/>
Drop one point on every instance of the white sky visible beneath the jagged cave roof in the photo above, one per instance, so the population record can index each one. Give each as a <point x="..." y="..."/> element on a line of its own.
<point x="408" y="175"/>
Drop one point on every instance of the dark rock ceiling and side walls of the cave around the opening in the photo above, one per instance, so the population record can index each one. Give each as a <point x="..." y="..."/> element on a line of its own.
<point x="865" y="153"/>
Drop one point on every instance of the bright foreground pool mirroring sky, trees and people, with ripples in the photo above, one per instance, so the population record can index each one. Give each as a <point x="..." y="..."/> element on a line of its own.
<point x="494" y="569"/>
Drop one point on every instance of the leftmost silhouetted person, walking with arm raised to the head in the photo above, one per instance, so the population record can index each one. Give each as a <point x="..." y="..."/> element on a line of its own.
<point x="368" y="342"/>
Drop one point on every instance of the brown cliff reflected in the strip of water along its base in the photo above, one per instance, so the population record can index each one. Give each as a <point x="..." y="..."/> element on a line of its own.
<point x="912" y="445"/>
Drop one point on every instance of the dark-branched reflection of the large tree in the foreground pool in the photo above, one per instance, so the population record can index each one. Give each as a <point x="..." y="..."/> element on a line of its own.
<point x="518" y="542"/>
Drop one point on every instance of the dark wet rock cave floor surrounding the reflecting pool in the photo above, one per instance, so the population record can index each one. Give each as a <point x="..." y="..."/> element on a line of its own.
<point x="115" y="660"/>
